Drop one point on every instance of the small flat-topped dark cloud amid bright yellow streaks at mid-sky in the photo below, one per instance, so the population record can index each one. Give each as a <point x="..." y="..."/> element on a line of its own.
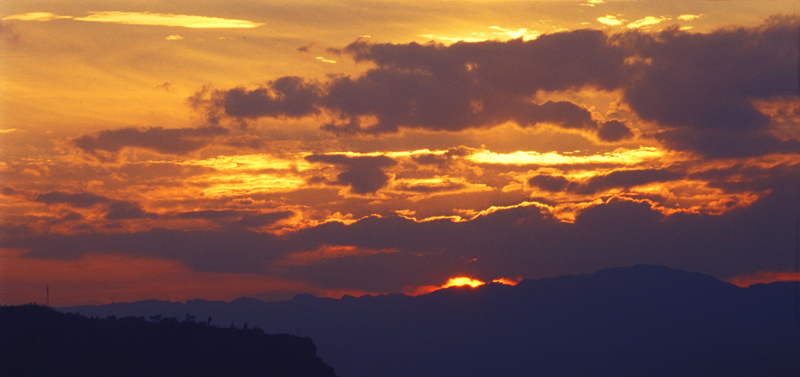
<point x="364" y="174"/>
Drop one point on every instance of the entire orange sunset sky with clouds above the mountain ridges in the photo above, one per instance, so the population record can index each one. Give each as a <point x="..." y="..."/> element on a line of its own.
<point x="175" y="149"/>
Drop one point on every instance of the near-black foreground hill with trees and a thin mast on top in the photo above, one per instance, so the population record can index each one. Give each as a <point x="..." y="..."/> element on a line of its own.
<point x="38" y="341"/>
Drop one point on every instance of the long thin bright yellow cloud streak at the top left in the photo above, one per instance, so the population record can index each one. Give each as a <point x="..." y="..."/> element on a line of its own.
<point x="144" y="18"/>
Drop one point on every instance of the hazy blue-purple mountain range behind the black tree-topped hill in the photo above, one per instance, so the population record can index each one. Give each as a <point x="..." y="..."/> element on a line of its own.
<point x="638" y="321"/>
